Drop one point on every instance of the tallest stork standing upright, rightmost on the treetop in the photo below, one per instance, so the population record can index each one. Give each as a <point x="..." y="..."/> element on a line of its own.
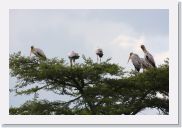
<point x="148" y="57"/>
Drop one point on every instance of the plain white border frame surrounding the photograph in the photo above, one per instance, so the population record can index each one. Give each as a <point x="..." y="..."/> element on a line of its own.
<point x="172" y="5"/>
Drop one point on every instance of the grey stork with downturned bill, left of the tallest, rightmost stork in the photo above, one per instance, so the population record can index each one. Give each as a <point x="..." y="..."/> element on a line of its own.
<point x="135" y="60"/>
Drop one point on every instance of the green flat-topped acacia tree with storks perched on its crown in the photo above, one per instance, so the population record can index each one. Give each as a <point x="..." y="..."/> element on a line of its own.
<point x="94" y="89"/>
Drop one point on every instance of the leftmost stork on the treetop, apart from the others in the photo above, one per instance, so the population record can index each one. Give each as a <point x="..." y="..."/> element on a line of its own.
<point x="38" y="52"/>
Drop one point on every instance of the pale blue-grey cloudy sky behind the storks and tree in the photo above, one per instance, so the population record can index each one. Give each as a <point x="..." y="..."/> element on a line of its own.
<point x="117" y="32"/>
